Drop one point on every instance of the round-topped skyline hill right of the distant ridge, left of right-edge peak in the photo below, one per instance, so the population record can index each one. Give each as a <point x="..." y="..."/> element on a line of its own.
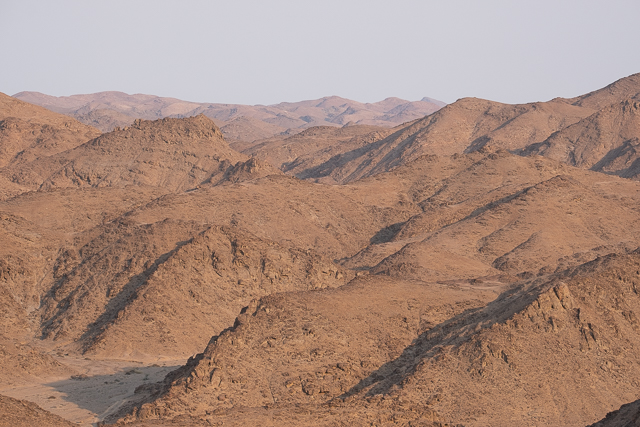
<point x="467" y="125"/>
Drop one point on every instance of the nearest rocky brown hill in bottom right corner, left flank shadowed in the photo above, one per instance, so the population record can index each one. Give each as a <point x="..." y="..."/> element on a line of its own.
<point x="484" y="367"/>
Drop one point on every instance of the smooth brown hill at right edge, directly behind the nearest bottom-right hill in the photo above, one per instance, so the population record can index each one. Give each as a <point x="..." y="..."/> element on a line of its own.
<point x="524" y="232"/>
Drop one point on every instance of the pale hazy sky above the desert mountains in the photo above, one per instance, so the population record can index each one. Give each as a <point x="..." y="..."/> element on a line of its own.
<point x="264" y="52"/>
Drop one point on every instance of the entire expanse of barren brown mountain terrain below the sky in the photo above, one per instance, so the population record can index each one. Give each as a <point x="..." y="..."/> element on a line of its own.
<point x="320" y="263"/>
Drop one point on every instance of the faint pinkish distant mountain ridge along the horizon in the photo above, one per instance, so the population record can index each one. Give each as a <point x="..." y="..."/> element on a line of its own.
<point x="108" y="110"/>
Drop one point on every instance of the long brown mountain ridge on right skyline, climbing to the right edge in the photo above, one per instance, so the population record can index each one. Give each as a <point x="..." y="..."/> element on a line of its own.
<point x="470" y="124"/>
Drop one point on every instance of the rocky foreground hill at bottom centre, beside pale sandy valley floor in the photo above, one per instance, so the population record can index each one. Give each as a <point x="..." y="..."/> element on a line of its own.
<point x="304" y="348"/>
